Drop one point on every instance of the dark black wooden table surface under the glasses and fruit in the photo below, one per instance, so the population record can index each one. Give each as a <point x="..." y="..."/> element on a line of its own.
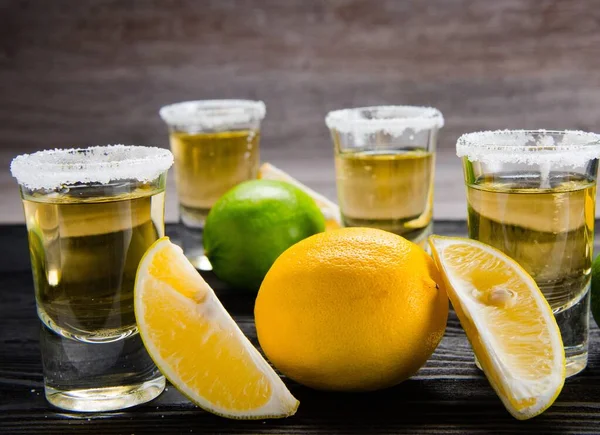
<point x="448" y="395"/>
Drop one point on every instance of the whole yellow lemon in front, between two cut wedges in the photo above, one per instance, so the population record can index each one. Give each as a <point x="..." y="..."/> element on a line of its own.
<point x="353" y="309"/>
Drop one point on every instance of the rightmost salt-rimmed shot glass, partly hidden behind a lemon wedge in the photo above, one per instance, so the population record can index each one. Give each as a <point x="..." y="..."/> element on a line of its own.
<point x="532" y="194"/>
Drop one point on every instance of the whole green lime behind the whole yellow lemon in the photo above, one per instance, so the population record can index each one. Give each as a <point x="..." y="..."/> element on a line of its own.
<point x="252" y="224"/>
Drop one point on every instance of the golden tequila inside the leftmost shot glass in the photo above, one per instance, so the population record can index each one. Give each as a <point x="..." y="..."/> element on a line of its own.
<point x="85" y="249"/>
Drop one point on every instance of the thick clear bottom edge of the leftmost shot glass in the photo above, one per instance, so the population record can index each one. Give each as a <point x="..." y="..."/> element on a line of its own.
<point x="106" y="399"/>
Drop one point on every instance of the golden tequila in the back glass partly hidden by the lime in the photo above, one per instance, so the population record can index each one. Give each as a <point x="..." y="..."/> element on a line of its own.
<point x="209" y="164"/>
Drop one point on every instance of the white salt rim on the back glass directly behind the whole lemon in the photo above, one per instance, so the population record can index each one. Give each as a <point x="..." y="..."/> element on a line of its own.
<point x="393" y="120"/>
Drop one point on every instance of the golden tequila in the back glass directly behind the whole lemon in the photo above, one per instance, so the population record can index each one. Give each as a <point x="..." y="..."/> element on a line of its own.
<point x="389" y="189"/>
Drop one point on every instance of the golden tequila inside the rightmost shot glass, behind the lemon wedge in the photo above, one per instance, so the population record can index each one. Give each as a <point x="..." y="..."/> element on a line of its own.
<point x="547" y="226"/>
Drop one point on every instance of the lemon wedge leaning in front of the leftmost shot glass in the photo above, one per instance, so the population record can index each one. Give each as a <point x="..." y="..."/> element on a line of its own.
<point x="197" y="345"/>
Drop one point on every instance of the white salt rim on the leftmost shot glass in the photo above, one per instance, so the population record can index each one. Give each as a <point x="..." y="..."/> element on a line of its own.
<point x="52" y="169"/>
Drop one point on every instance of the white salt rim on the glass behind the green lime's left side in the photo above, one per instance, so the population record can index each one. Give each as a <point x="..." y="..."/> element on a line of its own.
<point x="211" y="114"/>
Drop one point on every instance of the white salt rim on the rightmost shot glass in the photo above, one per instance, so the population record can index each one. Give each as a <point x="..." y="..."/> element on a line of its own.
<point x="533" y="147"/>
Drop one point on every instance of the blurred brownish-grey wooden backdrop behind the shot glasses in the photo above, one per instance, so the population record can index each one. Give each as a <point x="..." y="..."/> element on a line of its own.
<point x="83" y="72"/>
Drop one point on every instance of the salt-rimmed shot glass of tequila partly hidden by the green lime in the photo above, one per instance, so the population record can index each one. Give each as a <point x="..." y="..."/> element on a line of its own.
<point x="216" y="147"/>
